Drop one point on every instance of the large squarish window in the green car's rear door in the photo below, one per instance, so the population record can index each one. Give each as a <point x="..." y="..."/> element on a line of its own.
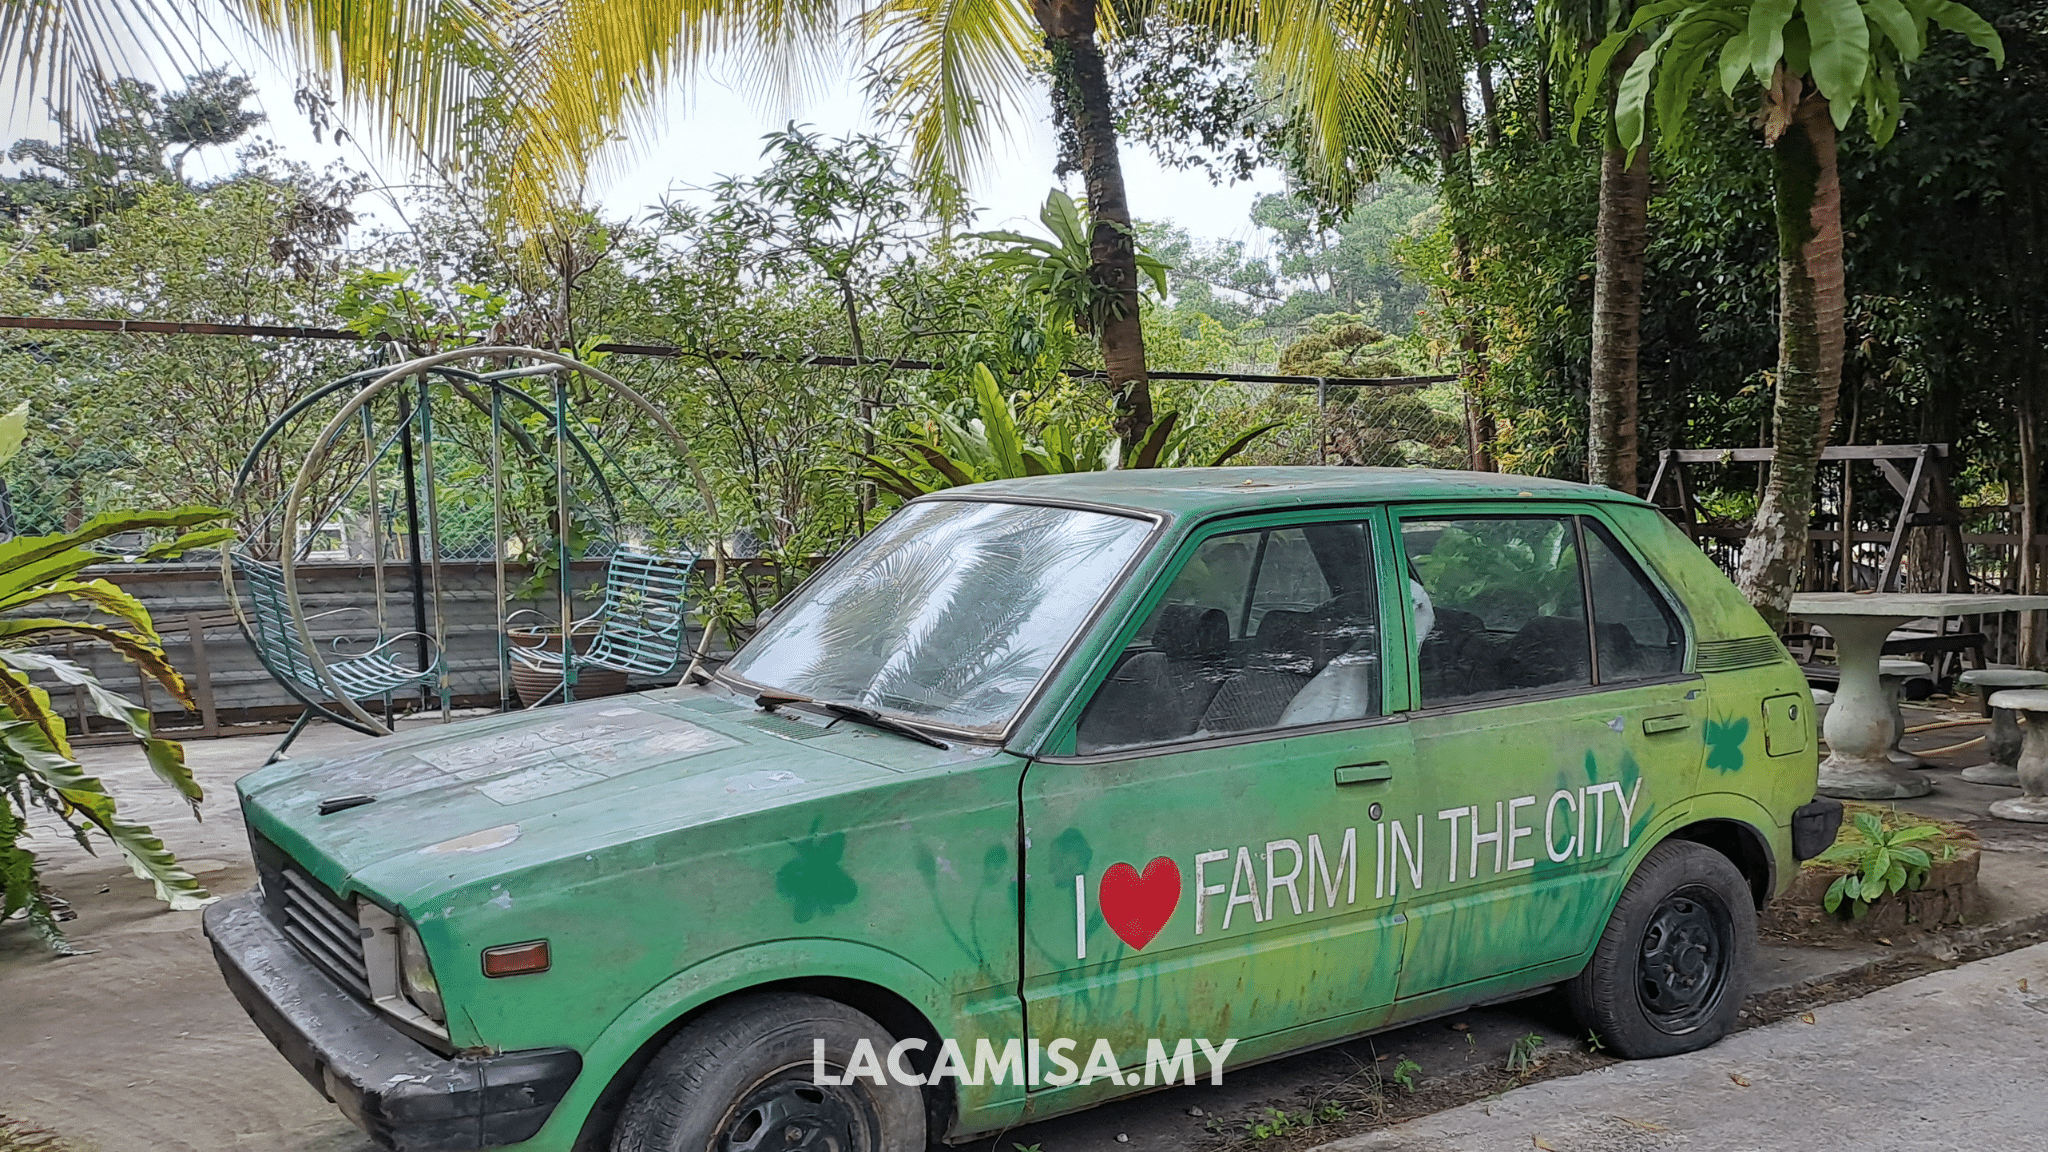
<point x="1500" y="606"/>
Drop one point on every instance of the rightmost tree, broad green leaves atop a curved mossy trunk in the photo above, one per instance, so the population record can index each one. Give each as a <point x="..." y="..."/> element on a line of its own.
<point x="1814" y="65"/>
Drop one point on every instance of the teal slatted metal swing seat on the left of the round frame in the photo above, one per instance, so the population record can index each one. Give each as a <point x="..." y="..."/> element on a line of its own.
<point x="271" y="632"/>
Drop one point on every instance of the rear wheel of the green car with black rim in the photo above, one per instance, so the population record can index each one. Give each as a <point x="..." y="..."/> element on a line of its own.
<point x="1674" y="964"/>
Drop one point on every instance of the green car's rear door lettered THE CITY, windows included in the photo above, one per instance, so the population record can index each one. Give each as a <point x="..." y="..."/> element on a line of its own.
<point x="1551" y="721"/>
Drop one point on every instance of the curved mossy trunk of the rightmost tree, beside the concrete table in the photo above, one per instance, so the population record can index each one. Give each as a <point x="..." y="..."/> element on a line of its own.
<point x="1811" y="304"/>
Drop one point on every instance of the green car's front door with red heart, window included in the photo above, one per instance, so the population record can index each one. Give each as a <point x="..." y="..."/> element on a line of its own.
<point x="1205" y="862"/>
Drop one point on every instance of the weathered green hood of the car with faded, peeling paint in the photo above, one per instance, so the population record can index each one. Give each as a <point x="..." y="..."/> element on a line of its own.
<point x="486" y="796"/>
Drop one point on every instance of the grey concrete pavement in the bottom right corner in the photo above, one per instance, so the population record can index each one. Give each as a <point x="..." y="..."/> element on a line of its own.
<point x="1955" y="1061"/>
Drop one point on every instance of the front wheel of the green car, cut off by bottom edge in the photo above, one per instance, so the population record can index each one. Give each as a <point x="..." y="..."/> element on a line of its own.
<point x="740" y="1081"/>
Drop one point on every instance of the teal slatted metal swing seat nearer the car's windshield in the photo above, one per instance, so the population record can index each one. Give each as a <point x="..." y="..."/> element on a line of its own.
<point x="642" y="624"/>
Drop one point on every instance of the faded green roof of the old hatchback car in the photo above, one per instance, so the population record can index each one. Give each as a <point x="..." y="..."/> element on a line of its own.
<point x="1205" y="491"/>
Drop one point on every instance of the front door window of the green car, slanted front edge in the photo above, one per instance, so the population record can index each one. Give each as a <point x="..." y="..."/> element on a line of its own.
<point x="1261" y="630"/>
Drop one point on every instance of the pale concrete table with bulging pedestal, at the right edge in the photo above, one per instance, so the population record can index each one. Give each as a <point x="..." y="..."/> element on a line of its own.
<point x="1861" y="723"/>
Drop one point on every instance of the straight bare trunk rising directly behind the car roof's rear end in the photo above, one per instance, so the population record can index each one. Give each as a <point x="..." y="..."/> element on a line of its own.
<point x="1619" y="247"/>
